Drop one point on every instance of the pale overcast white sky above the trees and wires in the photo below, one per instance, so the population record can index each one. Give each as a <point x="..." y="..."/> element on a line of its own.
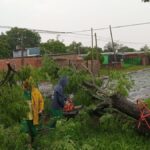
<point x="74" y="15"/>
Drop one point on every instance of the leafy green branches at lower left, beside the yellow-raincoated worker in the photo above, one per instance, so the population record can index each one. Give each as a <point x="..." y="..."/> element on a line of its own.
<point x="12" y="110"/>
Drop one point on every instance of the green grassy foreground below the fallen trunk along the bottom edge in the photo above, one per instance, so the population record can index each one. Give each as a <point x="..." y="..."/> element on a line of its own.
<point x="82" y="133"/>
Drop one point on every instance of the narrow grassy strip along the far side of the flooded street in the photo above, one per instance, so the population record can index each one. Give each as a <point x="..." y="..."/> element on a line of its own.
<point x="105" y="70"/>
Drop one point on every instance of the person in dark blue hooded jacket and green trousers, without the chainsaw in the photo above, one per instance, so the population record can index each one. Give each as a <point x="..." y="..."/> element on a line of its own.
<point x="58" y="100"/>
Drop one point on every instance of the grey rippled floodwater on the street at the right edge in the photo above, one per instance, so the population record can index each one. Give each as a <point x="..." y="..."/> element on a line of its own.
<point x="141" y="87"/>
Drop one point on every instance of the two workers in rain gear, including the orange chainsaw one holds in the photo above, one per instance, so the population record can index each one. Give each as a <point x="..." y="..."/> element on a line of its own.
<point x="35" y="101"/>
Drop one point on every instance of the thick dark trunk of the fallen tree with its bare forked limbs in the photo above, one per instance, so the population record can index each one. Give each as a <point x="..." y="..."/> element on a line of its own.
<point x="116" y="102"/>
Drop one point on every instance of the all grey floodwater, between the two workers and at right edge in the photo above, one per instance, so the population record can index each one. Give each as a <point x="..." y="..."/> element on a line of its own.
<point x="140" y="89"/>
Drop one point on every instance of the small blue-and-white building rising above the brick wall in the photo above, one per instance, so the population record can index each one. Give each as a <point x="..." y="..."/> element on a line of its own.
<point x="28" y="52"/>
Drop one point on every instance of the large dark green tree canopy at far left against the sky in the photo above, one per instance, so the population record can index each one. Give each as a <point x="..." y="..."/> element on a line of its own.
<point x="17" y="37"/>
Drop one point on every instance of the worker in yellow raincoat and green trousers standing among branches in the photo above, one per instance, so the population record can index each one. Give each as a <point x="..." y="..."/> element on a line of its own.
<point x="36" y="106"/>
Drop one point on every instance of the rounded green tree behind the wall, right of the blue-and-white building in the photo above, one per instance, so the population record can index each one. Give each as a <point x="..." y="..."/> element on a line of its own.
<point x="52" y="46"/>
